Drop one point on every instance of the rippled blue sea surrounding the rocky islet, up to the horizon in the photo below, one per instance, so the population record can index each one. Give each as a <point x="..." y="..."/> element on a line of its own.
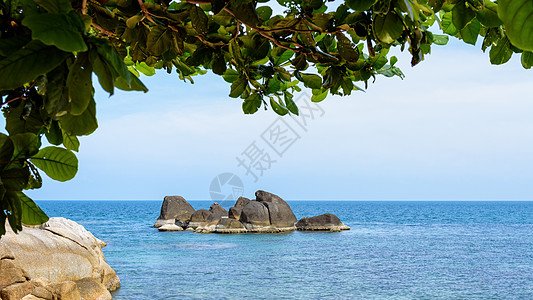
<point x="395" y="250"/>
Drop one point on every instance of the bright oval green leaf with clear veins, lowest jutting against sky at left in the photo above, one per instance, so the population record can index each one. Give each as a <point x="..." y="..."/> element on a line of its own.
<point x="58" y="163"/>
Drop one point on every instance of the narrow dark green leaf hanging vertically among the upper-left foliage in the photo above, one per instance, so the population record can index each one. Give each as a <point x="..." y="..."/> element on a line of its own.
<point x="80" y="85"/>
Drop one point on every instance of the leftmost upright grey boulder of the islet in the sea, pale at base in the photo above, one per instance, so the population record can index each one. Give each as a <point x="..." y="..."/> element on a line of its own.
<point x="174" y="210"/>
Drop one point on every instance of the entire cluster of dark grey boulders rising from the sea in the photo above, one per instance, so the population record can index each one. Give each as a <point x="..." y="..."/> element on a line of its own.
<point x="268" y="213"/>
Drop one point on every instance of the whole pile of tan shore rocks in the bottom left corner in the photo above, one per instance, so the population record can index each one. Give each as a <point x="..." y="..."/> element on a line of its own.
<point x="58" y="260"/>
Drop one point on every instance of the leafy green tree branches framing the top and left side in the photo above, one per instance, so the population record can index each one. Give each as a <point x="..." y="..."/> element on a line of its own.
<point x="49" y="50"/>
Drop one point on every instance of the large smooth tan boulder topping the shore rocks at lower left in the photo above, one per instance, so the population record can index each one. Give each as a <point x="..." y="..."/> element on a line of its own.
<point x="59" y="250"/>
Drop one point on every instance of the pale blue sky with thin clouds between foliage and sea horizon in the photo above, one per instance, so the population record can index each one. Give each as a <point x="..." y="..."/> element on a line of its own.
<point x="456" y="128"/>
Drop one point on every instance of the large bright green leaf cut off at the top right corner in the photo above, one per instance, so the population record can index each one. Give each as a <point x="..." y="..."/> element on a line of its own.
<point x="517" y="17"/>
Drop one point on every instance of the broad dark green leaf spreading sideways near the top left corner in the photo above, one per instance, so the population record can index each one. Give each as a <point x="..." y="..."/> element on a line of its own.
<point x="61" y="30"/>
